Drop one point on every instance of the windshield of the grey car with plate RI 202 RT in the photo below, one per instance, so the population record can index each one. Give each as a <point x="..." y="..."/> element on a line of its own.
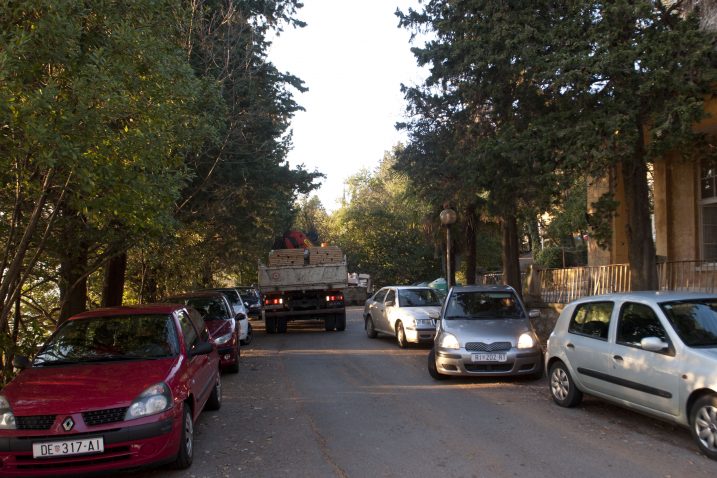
<point x="482" y="306"/>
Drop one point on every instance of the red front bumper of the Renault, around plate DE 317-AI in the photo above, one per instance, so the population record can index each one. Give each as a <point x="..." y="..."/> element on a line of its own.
<point x="125" y="448"/>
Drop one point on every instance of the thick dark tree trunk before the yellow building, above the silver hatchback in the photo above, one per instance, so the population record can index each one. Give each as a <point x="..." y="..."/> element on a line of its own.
<point x="641" y="246"/>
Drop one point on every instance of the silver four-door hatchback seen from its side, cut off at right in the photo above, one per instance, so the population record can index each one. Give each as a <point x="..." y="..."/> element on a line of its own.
<point x="653" y="352"/>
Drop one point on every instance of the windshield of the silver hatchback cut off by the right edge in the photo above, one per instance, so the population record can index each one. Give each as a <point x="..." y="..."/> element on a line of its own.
<point x="695" y="321"/>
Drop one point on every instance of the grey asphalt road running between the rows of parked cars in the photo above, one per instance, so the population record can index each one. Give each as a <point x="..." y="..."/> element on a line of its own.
<point x="311" y="403"/>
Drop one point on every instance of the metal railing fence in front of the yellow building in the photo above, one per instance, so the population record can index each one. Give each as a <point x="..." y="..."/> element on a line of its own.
<point x="564" y="285"/>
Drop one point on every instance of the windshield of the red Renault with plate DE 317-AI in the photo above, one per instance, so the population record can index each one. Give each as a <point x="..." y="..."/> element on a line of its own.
<point x="101" y="339"/>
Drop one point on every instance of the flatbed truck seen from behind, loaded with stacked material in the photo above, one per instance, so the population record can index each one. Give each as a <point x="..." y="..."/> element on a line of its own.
<point x="304" y="284"/>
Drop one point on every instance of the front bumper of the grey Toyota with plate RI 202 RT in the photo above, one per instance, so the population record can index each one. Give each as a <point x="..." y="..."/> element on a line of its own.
<point x="460" y="362"/>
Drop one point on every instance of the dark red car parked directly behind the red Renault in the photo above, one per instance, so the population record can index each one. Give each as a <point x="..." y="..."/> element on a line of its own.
<point x="223" y="325"/>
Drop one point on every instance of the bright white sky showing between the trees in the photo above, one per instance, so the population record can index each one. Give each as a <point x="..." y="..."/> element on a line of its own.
<point x="353" y="58"/>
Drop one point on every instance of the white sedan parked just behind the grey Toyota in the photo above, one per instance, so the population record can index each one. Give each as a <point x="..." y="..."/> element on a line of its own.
<point x="403" y="312"/>
